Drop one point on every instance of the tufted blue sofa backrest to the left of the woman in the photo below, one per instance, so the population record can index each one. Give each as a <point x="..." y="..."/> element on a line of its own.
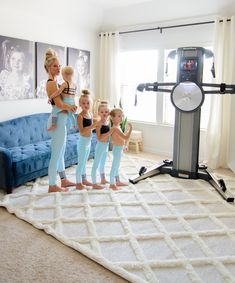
<point x="24" y="130"/>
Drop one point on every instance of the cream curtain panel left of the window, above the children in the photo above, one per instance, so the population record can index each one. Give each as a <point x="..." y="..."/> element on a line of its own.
<point x="108" y="67"/>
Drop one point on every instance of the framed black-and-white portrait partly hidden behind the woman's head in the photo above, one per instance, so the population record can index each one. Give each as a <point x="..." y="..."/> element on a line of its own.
<point x="41" y="74"/>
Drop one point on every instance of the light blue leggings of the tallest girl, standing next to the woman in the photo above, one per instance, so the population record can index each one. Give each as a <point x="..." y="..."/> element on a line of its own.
<point x="83" y="147"/>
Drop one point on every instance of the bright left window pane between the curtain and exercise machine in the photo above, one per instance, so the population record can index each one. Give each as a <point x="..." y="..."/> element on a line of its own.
<point x="138" y="67"/>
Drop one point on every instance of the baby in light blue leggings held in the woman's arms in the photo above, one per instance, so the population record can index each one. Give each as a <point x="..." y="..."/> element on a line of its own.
<point x="67" y="90"/>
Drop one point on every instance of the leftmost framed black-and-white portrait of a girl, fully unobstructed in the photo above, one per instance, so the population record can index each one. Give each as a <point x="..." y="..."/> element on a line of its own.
<point x="16" y="68"/>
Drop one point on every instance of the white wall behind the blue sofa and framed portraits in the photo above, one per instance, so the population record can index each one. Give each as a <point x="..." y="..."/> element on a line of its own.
<point x="54" y="22"/>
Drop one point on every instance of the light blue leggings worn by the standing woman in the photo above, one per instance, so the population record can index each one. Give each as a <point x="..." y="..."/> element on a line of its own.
<point x="58" y="144"/>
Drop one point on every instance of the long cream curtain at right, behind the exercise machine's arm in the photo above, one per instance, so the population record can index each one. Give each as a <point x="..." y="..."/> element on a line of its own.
<point x="219" y="125"/>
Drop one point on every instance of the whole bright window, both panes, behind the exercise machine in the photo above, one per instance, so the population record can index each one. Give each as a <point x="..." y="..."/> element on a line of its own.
<point x="141" y="67"/>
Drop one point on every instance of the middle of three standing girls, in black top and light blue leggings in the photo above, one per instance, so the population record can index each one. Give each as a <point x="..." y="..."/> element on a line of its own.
<point x="103" y="133"/>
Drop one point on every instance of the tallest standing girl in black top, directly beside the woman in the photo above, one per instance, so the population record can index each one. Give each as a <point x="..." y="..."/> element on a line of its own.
<point x="85" y="125"/>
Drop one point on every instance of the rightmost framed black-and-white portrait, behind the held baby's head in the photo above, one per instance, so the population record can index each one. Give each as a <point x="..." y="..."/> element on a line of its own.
<point x="80" y="61"/>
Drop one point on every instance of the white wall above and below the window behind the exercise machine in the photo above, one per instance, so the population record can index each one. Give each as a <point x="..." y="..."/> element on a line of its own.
<point x="158" y="138"/>
